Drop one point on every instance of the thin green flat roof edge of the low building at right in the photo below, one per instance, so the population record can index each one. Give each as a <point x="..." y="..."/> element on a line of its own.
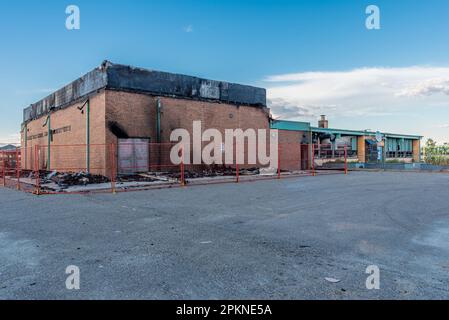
<point x="305" y="126"/>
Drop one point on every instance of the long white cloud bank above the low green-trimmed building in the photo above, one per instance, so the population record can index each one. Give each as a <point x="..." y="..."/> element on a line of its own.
<point x="358" y="92"/>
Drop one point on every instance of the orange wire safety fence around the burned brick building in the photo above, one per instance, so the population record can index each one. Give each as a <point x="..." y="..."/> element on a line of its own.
<point x="128" y="166"/>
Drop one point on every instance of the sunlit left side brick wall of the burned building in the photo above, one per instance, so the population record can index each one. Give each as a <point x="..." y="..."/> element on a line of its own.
<point x="68" y="151"/>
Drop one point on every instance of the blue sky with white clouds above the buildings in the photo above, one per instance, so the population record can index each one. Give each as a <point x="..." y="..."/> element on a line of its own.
<point x="313" y="56"/>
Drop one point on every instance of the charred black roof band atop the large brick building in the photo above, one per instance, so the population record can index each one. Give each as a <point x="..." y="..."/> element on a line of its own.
<point x="127" y="78"/>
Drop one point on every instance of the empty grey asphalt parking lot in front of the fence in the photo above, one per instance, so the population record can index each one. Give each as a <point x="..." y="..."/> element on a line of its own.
<point x="261" y="240"/>
